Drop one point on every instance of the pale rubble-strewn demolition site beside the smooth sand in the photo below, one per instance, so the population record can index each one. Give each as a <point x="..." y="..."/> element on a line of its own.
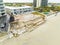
<point x="25" y="23"/>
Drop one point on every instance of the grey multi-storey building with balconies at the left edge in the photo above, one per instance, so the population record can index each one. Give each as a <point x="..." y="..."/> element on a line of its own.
<point x="3" y="17"/>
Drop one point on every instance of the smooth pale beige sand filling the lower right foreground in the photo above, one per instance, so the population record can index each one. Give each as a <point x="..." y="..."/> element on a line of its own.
<point x="46" y="34"/>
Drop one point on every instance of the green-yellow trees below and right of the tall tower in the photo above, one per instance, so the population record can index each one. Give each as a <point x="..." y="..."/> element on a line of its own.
<point x="47" y="9"/>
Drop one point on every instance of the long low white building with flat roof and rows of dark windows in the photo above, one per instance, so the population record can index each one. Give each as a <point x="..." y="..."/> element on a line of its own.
<point x="18" y="10"/>
